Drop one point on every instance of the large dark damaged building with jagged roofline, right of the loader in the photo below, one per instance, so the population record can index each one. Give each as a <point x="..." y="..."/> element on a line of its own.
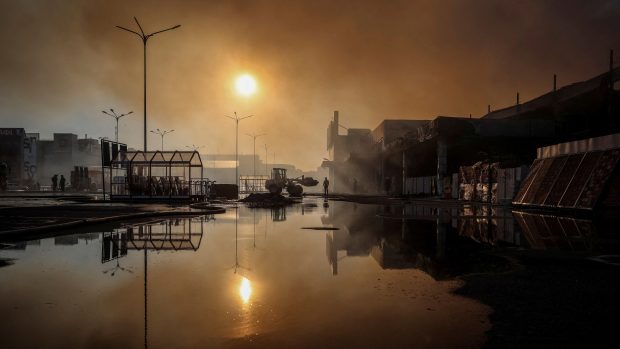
<point x="478" y="159"/>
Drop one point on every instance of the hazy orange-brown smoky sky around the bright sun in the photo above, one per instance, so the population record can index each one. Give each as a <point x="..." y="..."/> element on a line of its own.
<point x="62" y="62"/>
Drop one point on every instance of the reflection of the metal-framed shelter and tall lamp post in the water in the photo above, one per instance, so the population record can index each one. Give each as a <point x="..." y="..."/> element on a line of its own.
<point x="174" y="234"/>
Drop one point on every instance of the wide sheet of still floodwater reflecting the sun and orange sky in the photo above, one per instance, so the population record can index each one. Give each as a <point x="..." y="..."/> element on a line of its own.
<point x="304" y="276"/>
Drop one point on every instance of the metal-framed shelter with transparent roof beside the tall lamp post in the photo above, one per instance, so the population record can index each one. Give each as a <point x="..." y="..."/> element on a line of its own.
<point x="157" y="175"/>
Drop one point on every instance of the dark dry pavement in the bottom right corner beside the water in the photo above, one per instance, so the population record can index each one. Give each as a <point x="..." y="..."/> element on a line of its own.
<point x="547" y="302"/>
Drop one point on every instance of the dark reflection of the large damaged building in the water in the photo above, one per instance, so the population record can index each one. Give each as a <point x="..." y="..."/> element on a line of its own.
<point x="447" y="242"/>
